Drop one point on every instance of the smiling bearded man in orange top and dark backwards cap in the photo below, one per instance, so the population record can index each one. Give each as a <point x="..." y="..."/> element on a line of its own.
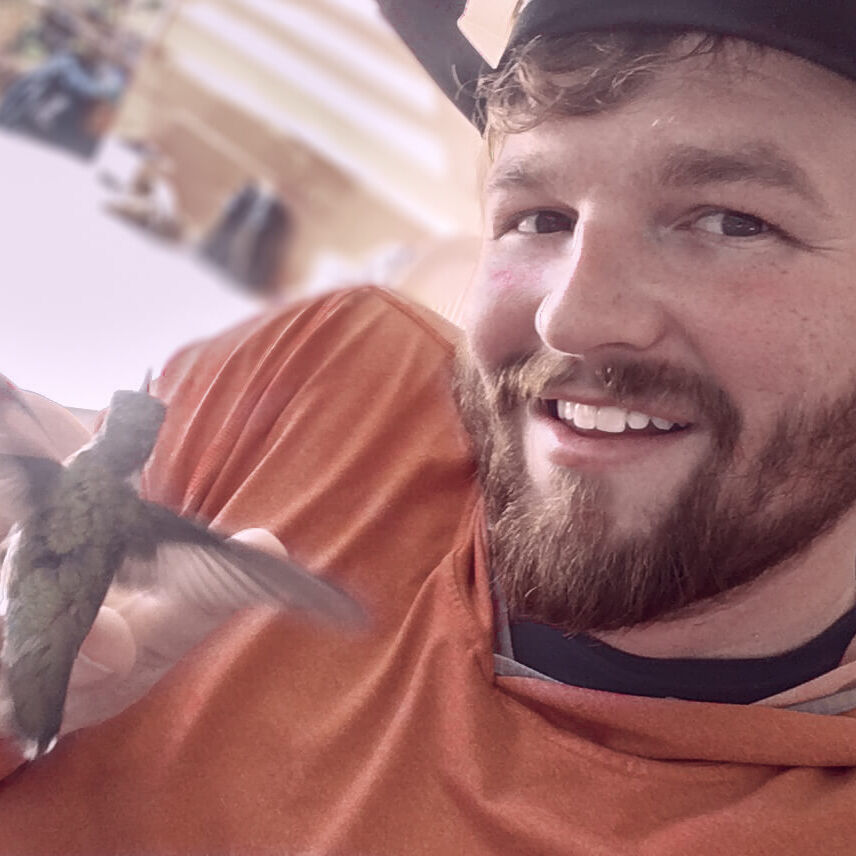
<point x="633" y="636"/>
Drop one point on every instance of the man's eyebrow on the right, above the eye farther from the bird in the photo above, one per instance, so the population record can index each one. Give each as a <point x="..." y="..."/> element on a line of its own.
<point x="761" y="163"/>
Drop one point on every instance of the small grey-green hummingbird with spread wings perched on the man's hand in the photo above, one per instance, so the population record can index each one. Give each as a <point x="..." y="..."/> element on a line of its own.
<point x="83" y="521"/>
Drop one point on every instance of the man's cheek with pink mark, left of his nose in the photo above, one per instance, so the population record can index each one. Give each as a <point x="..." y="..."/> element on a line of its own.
<point x="501" y="317"/>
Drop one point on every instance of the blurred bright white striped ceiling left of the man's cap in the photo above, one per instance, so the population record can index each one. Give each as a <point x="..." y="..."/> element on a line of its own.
<point x="334" y="76"/>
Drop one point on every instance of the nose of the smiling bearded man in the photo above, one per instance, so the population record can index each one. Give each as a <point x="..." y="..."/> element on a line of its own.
<point x="602" y="293"/>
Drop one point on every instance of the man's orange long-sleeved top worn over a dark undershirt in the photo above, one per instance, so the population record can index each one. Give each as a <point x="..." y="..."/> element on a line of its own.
<point x="331" y="423"/>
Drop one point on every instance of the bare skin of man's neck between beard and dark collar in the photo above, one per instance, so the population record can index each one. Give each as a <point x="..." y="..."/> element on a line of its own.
<point x="789" y="605"/>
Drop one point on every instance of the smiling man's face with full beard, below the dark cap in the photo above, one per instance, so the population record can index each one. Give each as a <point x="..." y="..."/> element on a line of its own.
<point x="695" y="250"/>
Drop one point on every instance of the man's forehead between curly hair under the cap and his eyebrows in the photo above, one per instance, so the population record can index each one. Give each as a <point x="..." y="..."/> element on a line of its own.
<point x="791" y="119"/>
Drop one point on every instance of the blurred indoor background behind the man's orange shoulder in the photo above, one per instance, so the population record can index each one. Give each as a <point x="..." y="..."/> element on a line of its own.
<point x="171" y="167"/>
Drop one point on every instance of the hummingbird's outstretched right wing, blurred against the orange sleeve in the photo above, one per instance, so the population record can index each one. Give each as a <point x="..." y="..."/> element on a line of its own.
<point x="209" y="570"/>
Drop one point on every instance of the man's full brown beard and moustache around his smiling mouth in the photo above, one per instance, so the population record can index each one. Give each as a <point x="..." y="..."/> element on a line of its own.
<point x="555" y="554"/>
